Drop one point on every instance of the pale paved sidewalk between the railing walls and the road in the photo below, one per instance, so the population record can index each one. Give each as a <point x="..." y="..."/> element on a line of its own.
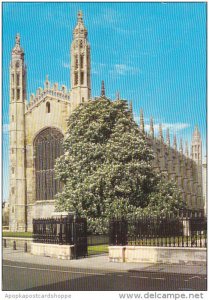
<point x="102" y="263"/>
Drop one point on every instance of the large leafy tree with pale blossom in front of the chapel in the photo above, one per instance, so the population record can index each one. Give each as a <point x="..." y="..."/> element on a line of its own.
<point x="106" y="167"/>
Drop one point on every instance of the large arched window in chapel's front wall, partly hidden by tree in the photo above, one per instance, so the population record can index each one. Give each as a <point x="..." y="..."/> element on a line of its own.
<point x="47" y="148"/>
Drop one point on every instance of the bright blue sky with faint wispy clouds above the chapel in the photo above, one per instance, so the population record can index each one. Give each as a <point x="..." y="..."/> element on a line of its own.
<point x="153" y="53"/>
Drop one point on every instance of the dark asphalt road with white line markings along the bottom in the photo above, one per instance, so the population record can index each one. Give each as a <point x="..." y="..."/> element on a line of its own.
<point x="33" y="277"/>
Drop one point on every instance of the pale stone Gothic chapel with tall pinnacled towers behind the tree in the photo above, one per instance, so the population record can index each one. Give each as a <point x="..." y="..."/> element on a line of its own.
<point x="50" y="109"/>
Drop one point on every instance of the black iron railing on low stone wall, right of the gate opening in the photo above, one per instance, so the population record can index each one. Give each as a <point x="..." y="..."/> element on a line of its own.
<point x="183" y="230"/>
